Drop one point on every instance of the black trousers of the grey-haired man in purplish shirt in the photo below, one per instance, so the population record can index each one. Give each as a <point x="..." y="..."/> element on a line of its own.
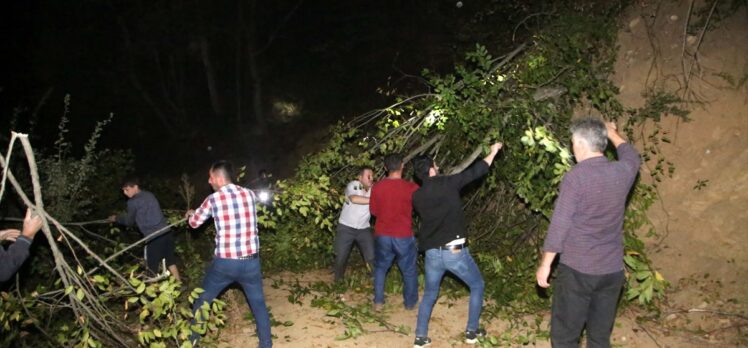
<point x="580" y="299"/>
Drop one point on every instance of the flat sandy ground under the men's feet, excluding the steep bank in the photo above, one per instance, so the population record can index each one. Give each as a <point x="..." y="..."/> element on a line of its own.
<point x="312" y="328"/>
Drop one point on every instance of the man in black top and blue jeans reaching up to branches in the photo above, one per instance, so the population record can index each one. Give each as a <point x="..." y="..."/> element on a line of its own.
<point x="443" y="237"/>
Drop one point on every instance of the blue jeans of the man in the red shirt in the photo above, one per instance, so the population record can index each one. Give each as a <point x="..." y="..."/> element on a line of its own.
<point x="404" y="249"/>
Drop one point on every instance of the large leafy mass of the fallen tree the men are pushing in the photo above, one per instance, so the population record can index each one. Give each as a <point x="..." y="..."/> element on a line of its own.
<point x="525" y="98"/>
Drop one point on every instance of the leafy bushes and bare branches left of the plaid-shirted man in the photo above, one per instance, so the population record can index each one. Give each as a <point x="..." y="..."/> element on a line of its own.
<point x="70" y="295"/>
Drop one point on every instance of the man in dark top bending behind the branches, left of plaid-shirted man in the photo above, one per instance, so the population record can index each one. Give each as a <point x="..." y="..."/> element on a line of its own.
<point x="144" y="211"/>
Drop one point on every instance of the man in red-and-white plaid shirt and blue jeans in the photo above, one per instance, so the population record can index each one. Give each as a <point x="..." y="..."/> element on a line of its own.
<point x="237" y="257"/>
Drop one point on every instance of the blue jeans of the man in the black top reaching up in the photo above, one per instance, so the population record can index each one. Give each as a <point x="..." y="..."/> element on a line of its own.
<point x="461" y="264"/>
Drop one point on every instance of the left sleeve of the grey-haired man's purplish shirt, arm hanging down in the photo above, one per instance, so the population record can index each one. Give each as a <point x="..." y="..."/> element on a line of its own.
<point x="561" y="221"/>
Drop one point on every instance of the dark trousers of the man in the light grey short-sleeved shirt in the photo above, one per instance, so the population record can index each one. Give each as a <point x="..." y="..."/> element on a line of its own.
<point x="344" y="238"/>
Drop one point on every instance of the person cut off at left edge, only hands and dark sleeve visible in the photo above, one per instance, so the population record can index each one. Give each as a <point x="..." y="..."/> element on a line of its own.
<point x="12" y="259"/>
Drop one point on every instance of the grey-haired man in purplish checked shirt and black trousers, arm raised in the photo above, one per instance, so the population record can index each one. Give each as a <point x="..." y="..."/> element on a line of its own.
<point x="587" y="230"/>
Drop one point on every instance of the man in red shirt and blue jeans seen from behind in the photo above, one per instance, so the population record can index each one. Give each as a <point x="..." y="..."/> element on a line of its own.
<point x="391" y="203"/>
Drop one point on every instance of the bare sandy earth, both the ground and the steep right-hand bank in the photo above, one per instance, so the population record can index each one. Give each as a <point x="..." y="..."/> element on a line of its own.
<point x="702" y="232"/>
